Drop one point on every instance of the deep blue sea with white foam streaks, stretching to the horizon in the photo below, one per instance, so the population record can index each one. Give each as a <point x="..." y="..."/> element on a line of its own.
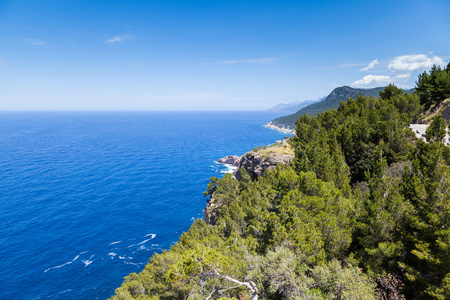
<point x="87" y="197"/>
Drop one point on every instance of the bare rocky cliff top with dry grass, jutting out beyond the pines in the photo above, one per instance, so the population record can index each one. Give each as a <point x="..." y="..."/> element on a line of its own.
<point x="257" y="163"/>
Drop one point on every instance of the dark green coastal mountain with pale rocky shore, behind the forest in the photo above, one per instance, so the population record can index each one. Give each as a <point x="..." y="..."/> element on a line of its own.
<point x="331" y="101"/>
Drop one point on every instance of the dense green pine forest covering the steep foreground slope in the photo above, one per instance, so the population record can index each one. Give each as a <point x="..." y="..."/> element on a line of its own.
<point x="362" y="212"/>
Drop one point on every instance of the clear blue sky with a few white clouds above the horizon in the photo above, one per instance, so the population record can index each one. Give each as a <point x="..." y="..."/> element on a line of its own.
<point x="210" y="55"/>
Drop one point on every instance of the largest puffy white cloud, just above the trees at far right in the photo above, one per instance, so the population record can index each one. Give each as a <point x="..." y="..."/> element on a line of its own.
<point x="414" y="63"/>
